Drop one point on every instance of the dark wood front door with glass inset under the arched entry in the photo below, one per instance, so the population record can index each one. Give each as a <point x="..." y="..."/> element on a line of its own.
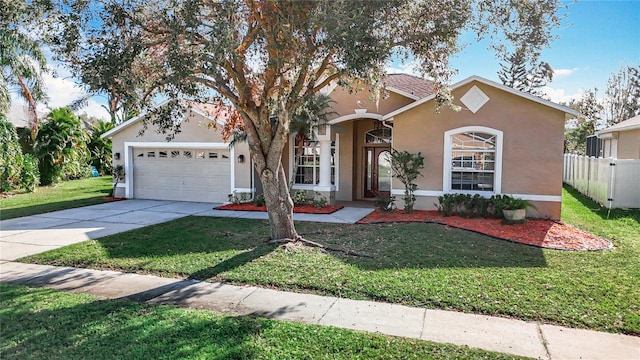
<point x="377" y="172"/>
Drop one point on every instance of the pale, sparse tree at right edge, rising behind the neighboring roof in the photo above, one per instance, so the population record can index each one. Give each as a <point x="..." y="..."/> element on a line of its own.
<point x="622" y="96"/>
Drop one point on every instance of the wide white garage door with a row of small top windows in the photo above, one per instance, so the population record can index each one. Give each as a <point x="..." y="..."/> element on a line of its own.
<point x="181" y="174"/>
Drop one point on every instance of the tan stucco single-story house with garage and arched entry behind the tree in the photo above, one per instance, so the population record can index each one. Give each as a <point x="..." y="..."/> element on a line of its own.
<point x="502" y="141"/>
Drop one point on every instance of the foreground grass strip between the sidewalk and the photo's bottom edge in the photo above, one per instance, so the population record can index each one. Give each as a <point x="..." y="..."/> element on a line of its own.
<point x="46" y="324"/>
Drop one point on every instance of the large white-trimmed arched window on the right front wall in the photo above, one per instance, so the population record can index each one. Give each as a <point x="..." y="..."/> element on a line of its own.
<point x="473" y="160"/>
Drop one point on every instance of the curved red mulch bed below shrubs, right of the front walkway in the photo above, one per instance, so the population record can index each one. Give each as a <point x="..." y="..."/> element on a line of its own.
<point x="543" y="233"/>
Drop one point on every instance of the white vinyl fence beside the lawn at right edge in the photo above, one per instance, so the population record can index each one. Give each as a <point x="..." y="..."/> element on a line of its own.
<point x="613" y="183"/>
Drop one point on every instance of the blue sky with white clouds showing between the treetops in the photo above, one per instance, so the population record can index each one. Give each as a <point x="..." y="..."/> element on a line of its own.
<point x="595" y="40"/>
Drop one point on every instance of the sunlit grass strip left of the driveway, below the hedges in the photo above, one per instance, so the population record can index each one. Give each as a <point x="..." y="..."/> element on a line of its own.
<point x="67" y="195"/>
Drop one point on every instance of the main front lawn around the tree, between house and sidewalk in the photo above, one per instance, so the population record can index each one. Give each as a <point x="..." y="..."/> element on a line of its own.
<point x="424" y="265"/>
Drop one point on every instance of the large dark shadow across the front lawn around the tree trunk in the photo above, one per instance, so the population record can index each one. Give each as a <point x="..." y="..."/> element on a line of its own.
<point x="213" y="246"/>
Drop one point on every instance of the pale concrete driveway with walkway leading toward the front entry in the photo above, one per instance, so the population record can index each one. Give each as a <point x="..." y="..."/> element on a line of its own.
<point x="34" y="234"/>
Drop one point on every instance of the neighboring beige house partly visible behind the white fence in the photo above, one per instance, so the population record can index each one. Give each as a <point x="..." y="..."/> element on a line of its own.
<point x="622" y="140"/>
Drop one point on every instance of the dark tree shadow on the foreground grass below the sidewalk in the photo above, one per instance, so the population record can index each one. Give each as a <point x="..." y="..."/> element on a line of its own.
<point x="120" y="329"/>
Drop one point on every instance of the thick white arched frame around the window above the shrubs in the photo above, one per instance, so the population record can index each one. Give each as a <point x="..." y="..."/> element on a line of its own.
<point x="447" y="168"/>
